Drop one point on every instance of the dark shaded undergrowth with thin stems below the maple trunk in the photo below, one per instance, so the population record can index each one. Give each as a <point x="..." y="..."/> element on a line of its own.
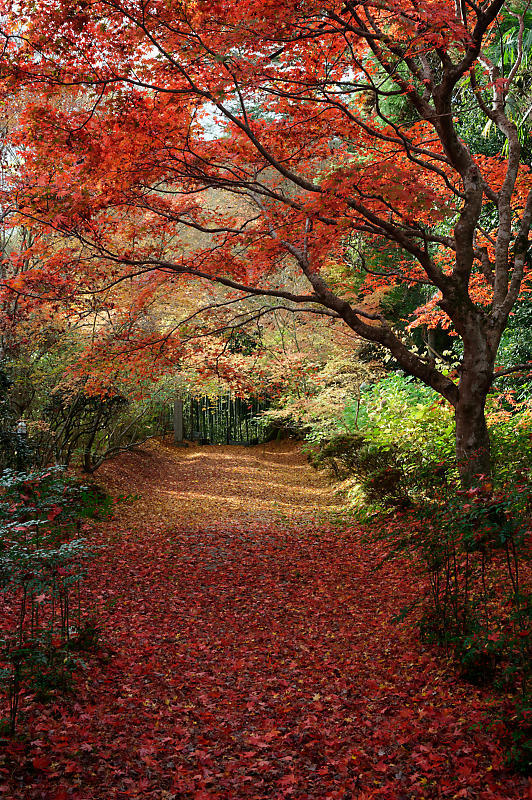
<point x="472" y="552"/>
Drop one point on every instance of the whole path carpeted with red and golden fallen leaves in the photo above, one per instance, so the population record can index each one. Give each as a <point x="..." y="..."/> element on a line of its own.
<point x="249" y="652"/>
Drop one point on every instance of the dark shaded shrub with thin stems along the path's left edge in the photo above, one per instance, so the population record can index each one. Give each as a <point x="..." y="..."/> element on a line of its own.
<point x="43" y="561"/>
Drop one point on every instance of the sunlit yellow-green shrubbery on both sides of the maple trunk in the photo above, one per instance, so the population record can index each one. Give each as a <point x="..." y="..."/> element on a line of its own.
<point x="399" y="442"/>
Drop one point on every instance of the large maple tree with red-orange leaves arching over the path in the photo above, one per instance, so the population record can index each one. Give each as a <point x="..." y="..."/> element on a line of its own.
<point x="282" y="115"/>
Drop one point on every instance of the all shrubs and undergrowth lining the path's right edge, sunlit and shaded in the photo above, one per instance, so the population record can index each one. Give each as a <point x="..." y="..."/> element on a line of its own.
<point x="397" y="465"/>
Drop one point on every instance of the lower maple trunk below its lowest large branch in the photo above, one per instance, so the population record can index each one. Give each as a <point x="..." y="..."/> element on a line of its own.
<point x="473" y="456"/>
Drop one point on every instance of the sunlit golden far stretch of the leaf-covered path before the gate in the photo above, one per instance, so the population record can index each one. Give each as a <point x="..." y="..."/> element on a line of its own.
<point x="205" y="485"/>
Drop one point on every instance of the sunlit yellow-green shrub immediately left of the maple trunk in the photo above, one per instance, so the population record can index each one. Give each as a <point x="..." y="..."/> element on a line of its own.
<point x="399" y="446"/>
